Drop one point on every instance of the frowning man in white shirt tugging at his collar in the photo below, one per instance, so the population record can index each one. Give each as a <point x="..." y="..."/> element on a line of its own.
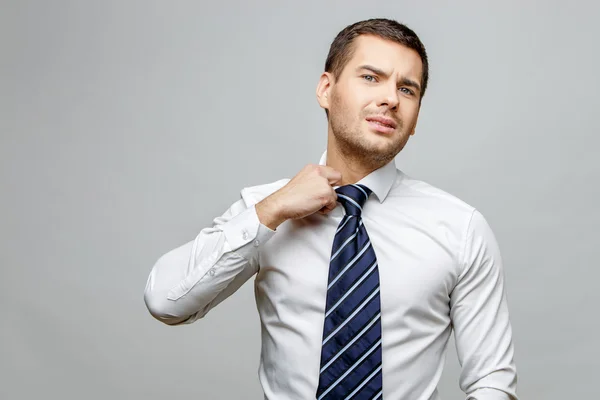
<point x="360" y="271"/>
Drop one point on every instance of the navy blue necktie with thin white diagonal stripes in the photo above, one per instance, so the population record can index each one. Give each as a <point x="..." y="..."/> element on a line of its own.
<point x="351" y="348"/>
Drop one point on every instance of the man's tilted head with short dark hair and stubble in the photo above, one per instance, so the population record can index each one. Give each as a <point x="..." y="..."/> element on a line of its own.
<point x="375" y="77"/>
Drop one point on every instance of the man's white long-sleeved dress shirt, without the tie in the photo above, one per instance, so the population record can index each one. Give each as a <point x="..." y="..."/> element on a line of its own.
<point x="439" y="265"/>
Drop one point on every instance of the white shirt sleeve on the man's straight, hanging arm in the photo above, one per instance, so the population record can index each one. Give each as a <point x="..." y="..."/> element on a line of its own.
<point x="480" y="318"/>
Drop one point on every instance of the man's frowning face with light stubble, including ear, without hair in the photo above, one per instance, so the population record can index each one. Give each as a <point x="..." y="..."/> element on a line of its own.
<point x="374" y="104"/>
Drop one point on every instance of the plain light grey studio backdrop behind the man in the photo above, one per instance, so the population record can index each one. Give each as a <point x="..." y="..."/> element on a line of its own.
<point x="126" y="126"/>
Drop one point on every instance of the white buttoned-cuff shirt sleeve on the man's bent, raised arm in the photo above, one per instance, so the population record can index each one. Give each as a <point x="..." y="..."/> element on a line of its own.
<point x="188" y="281"/>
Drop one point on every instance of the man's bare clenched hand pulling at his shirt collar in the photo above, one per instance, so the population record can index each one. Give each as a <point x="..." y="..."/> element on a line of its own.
<point x="311" y="190"/>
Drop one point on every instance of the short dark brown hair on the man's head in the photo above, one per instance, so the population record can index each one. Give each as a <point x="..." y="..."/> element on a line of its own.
<point x="342" y="48"/>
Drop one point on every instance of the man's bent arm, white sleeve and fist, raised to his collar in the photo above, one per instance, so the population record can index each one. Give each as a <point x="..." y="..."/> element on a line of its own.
<point x="190" y="280"/>
